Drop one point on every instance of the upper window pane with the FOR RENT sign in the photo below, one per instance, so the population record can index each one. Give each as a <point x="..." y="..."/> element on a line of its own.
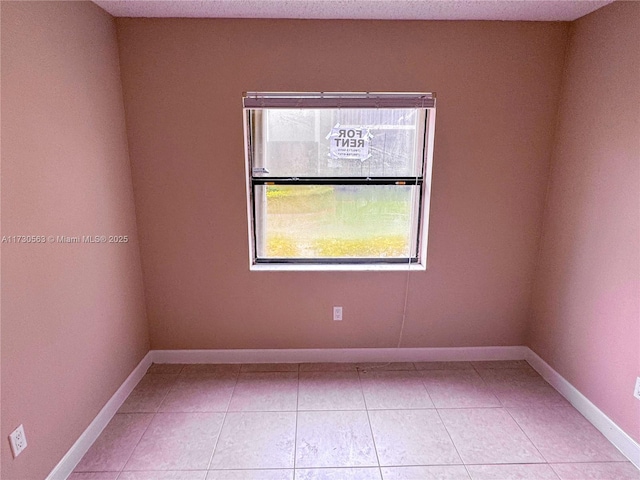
<point x="338" y="142"/>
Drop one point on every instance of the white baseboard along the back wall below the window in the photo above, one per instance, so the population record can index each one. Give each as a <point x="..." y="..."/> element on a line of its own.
<point x="340" y="355"/>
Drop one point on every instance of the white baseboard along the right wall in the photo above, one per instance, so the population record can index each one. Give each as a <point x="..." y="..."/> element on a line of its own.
<point x="623" y="442"/>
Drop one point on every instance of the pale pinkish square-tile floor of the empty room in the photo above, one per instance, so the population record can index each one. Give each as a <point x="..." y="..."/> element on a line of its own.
<point x="409" y="421"/>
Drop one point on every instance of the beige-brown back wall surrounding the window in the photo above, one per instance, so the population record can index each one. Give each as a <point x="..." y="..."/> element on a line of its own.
<point x="498" y="87"/>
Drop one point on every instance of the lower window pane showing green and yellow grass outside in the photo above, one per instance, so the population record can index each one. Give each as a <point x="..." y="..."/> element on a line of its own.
<point x="336" y="221"/>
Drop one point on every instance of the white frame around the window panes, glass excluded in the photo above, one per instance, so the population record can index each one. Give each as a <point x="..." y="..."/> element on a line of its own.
<point x="262" y="100"/>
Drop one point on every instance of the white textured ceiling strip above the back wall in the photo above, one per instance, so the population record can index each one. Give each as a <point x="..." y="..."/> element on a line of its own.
<point x="540" y="10"/>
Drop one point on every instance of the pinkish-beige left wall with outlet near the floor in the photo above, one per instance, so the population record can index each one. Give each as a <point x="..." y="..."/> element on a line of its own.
<point x="73" y="316"/>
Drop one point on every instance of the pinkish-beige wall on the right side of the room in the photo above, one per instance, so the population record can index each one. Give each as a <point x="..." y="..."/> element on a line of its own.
<point x="586" y="311"/>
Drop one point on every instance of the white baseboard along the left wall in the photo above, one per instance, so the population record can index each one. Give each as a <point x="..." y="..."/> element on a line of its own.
<point x="93" y="431"/>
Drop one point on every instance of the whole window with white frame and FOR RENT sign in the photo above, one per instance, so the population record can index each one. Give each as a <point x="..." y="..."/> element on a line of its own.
<point x="338" y="180"/>
